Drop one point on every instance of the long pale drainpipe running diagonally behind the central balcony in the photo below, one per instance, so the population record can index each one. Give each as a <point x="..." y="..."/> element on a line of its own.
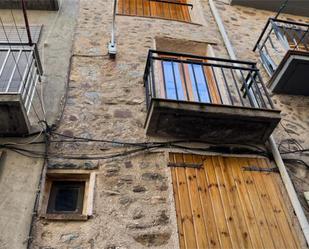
<point x="274" y="149"/>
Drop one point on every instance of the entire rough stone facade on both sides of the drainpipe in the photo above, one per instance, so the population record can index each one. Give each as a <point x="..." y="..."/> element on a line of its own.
<point x="133" y="200"/>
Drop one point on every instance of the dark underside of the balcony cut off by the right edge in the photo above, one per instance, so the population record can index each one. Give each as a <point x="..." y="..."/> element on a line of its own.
<point x="291" y="76"/>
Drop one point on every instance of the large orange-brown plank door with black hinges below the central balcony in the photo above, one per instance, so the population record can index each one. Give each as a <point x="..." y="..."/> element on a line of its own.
<point x="222" y="206"/>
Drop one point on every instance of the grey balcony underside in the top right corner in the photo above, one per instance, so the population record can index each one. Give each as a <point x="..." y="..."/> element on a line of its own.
<point x="295" y="7"/>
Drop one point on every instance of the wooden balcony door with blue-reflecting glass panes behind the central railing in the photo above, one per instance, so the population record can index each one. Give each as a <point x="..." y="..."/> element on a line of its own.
<point x="187" y="80"/>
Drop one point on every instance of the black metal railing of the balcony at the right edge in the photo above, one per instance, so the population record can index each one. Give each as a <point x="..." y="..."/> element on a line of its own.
<point x="278" y="37"/>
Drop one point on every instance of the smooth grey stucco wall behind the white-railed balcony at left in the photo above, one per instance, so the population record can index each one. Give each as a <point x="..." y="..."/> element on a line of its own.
<point x="19" y="174"/>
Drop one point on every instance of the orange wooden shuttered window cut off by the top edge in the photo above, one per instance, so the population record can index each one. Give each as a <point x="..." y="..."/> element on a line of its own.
<point x="166" y="9"/>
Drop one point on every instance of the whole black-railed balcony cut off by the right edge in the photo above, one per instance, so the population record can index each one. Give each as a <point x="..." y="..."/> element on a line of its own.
<point x="284" y="51"/>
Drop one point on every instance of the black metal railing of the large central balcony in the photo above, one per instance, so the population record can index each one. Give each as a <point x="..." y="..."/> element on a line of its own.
<point x="200" y="79"/>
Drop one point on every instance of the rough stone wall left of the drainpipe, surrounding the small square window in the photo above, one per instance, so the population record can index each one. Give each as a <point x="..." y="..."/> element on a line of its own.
<point x="133" y="204"/>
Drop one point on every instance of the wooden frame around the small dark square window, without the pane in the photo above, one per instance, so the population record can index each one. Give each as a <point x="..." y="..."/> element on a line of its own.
<point x="66" y="176"/>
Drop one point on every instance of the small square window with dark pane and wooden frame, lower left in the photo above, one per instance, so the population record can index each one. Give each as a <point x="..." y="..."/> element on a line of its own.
<point x="68" y="195"/>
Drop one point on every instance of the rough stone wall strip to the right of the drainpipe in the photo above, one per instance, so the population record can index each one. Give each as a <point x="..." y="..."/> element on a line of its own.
<point x="244" y="25"/>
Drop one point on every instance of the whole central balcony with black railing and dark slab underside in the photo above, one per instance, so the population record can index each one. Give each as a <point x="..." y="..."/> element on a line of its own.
<point x="206" y="98"/>
